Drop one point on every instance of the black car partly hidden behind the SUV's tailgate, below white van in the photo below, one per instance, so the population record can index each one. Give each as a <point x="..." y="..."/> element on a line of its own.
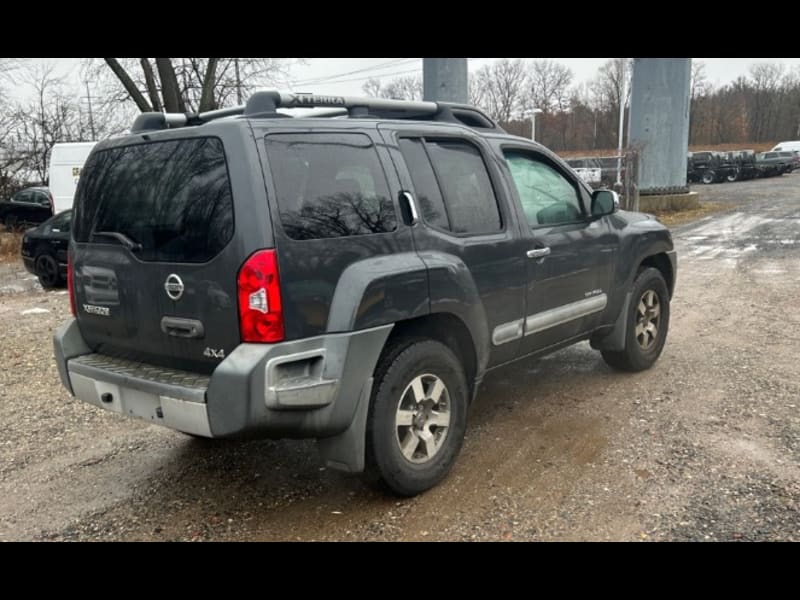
<point x="44" y="250"/>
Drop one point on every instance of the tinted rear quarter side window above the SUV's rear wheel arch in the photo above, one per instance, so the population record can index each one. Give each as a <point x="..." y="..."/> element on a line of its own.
<point x="329" y="185"/>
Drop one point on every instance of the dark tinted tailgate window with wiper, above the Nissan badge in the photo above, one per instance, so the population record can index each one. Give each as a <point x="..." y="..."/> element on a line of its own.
<point x="174" y="198"/>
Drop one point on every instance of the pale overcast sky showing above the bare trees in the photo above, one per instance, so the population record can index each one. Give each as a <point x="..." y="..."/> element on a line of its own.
<point x="345" y="76"/>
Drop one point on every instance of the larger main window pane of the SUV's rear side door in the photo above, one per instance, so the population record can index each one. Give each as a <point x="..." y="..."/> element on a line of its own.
<point x="471" y="202"/>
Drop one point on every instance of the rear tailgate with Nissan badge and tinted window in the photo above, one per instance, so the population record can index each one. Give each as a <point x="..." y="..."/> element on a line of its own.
<point x="154" y="263"/>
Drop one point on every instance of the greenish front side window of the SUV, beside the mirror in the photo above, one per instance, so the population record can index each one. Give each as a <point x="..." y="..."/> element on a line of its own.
<point x="547" y="197"/>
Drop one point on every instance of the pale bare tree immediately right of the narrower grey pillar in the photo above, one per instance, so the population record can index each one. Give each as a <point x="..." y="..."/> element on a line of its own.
<point x="502" y="87"/>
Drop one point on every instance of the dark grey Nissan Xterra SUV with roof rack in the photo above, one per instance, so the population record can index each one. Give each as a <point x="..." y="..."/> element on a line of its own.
<point x="349" y="277"/>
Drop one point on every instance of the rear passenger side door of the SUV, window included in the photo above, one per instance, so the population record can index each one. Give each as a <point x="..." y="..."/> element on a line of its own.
<point x="465" y="222"/>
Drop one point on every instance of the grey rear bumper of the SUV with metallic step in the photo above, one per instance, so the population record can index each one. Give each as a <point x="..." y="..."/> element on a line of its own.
<point x="304" y="388"/>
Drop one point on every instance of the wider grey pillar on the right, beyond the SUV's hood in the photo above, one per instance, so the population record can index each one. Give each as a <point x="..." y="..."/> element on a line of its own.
<point x="659" y="122"/>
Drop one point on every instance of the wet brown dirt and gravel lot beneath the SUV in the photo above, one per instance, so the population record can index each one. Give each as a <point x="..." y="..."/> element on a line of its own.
<point x="706" y="446"/>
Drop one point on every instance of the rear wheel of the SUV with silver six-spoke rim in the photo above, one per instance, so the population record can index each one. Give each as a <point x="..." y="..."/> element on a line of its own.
<point x="420" y="382"/>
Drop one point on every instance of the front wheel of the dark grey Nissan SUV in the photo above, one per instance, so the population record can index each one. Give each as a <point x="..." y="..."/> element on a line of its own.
<point x="642" y="346"/>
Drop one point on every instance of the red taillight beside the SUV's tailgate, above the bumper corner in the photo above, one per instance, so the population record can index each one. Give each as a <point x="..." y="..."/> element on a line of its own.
<point x="260" y="312"/>
